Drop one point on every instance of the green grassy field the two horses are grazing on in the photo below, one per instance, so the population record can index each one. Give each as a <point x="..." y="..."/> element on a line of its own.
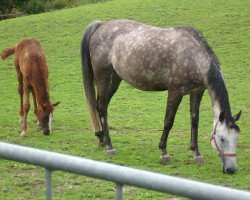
<point x="135" y="117"/>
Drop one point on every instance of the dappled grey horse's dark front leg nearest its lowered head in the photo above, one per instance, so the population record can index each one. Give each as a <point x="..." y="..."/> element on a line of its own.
<point x="195" y="100"/>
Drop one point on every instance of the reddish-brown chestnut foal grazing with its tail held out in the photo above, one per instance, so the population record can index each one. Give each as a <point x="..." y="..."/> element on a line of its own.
<point x="32" y="75"/>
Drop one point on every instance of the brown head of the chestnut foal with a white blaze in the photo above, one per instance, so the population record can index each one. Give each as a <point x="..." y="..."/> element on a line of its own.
<point x="45" y="116"/>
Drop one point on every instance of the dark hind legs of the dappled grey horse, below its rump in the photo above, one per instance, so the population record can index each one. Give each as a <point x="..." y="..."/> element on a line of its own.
<point x="106" y="89"/>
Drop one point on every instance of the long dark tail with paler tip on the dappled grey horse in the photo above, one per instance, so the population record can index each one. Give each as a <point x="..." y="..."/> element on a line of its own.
<point x="88" y="77"/>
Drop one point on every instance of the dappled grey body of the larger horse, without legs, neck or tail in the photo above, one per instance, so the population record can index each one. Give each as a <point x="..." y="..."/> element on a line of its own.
<point x="150" y="58"/>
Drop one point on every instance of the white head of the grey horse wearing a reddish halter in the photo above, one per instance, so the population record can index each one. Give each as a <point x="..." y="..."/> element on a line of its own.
<point x="224" y="140"/>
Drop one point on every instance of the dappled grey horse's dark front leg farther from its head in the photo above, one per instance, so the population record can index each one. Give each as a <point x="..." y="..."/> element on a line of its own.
<point x="174" y="100"/>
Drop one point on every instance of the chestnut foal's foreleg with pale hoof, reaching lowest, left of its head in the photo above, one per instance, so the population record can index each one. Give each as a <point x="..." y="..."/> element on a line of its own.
<point x="26" y="107"/>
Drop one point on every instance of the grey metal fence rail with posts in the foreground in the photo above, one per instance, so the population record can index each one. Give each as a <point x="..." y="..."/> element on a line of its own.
<point x="117" y="174"/>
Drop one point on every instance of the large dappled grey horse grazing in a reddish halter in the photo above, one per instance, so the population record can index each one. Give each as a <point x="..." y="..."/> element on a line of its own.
<point x="149" y="58"/>
